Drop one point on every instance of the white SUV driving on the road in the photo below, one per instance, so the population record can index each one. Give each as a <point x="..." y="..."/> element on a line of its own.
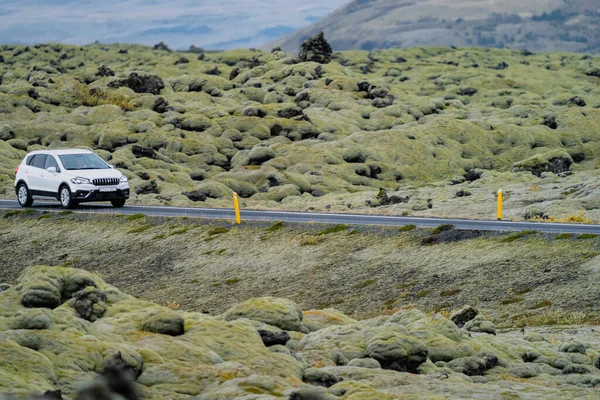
<point x="70" y="176"/>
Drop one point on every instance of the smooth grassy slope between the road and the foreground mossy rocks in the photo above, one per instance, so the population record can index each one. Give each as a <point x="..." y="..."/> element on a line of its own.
<point x="209" y="266"/>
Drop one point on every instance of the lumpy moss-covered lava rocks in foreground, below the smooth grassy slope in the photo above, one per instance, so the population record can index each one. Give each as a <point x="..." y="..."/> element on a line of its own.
<point x="67" y="332"/>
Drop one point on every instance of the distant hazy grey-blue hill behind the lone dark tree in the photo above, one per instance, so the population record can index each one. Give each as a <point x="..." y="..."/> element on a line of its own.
<point x="535" y="25"/>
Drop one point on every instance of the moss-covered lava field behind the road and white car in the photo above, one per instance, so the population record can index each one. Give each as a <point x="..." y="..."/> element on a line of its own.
<point x="188" y="129"/>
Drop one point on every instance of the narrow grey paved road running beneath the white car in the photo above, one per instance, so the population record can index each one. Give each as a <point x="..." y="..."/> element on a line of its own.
<point x="326" y="218"/>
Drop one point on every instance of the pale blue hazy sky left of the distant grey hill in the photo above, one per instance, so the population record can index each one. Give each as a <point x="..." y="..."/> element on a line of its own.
<point x="210" y="24"/>
